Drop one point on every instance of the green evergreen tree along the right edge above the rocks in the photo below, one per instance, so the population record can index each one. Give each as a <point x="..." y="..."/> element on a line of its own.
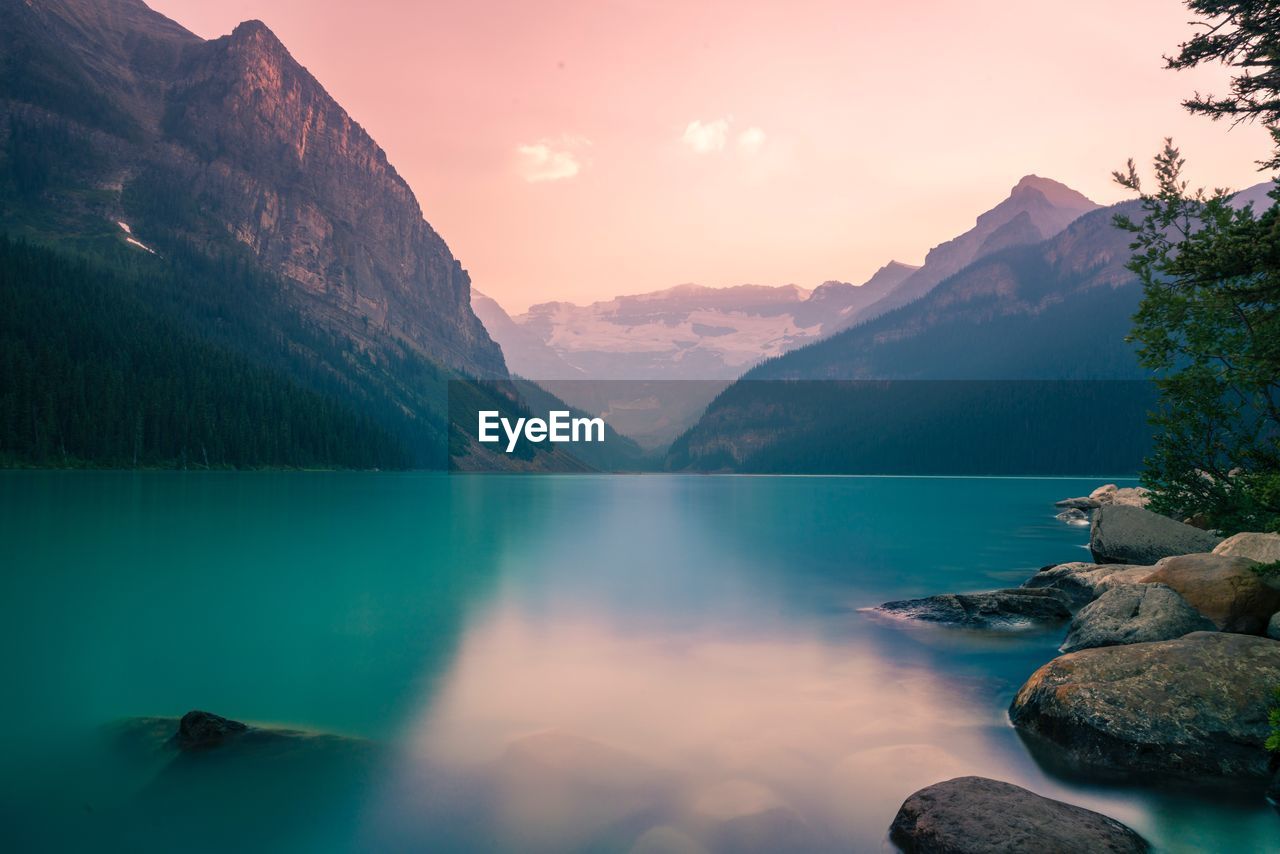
<point x="1210" y="321"/>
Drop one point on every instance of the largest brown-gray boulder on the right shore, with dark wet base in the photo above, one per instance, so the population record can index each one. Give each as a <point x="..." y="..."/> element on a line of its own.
<point x="1195" y="707"/>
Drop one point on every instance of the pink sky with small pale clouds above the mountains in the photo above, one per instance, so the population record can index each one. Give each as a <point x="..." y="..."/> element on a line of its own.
<point x="583" y="150"/>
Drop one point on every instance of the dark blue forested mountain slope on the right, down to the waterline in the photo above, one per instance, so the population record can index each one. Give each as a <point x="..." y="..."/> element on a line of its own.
<point x="995" y="360"/>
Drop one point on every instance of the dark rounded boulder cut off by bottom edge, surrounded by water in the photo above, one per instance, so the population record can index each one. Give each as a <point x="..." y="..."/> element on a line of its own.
<point x="981" y="816"/>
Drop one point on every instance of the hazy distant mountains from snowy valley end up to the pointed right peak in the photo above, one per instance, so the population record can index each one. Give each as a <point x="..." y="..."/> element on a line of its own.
<point x="692" y="332"/>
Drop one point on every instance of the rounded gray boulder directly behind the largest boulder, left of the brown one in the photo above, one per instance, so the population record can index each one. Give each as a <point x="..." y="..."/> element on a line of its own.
<point x="1135" y="614"/>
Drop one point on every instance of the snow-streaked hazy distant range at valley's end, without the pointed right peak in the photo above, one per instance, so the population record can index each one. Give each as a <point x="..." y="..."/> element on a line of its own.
<point x="688" y="332"/>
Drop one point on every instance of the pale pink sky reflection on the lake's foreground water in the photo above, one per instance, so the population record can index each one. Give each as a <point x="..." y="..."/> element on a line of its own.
<point x="586" y="733"/>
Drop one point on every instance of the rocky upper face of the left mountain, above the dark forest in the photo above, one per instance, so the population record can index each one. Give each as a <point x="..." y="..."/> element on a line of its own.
<point x="115" y="115"/>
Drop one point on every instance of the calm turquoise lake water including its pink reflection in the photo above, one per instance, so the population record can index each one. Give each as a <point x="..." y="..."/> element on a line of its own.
<point x="538" y="664"/>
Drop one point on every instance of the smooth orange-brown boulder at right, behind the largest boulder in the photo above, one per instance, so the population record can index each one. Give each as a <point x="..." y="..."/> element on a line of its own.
<point x="1226" y="590"/>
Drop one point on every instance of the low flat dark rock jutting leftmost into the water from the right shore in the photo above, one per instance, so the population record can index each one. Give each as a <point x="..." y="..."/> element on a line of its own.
<point x="1012" y="609"/>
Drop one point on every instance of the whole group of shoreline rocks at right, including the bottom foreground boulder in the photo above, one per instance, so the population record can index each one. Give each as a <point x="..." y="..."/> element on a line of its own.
<point x="1169" y="670"/>
